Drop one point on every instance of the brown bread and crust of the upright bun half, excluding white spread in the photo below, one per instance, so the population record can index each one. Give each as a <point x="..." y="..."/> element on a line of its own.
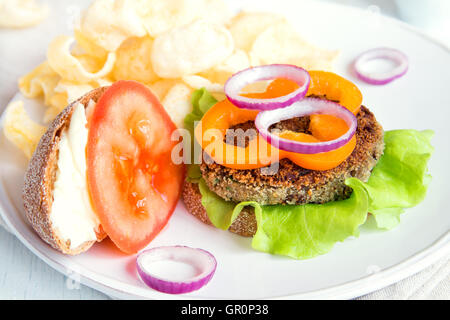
<point x="41" y="174"/>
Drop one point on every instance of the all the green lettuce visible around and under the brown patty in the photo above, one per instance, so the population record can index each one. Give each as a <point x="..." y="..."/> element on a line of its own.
<point x="398" y="181"/>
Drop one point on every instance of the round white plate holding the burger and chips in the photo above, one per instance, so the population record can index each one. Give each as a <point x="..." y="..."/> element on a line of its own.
<point x="419" y="100"/>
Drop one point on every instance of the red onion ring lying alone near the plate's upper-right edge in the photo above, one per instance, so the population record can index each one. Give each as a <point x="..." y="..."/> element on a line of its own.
<point x="379" y="78"/>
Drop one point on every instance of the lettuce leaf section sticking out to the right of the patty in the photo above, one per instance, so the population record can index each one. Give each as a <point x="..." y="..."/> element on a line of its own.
<point x="400" y="179"/>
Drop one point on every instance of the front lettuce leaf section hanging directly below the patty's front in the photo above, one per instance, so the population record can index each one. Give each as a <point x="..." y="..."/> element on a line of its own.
<point x="306" y="231"/>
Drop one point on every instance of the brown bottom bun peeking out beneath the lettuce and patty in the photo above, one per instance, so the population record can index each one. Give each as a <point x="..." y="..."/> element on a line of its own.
<point x="244" y="225"/>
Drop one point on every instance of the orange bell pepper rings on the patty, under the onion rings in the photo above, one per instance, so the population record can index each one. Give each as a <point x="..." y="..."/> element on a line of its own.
<point x="211" y="132"/>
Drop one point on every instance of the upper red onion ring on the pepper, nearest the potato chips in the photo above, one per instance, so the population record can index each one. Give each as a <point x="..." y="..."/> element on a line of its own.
<point x="241" y="79"/>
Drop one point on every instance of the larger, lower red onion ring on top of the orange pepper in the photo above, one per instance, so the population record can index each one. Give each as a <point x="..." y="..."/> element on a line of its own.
<point x="306" y="107"/>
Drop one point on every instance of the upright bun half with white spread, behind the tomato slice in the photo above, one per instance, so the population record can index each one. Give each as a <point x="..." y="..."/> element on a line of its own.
<point x="55" y="194"/>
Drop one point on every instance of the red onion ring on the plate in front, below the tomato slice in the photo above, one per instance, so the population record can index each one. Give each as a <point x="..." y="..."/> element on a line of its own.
<point x="176" y="269"/>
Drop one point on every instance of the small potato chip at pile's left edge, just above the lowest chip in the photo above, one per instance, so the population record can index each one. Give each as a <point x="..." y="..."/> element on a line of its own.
<point x="41" y="81"/>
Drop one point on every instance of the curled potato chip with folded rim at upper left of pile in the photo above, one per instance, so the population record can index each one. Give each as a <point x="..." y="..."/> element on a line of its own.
<point x="75" y="68"/>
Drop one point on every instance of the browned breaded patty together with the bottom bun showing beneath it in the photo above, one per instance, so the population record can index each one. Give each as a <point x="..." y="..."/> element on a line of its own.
<point x="291" y="184"/>
